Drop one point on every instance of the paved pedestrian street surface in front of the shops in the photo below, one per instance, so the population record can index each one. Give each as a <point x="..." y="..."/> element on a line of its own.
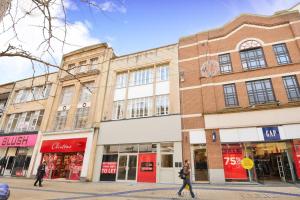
<point x="23" y="189"/>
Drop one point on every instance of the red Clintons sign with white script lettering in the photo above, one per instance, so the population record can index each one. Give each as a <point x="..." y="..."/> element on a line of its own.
<point x="65" y="145"/>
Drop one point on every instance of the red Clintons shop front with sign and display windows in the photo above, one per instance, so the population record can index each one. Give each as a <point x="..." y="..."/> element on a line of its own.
<point x="64" y="157"/>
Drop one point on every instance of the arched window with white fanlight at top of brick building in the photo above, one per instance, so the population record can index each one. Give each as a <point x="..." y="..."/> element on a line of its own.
<point x="252" y="55"/>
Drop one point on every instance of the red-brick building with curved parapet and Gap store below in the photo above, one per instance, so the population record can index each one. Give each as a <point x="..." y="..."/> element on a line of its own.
<point x="239" y="89"/>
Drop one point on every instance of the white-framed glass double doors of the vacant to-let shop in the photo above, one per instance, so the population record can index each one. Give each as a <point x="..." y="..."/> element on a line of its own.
<point x="127" y="167"/>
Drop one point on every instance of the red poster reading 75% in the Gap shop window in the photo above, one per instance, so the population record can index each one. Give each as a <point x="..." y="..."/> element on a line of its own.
<point x="232" y="156"/>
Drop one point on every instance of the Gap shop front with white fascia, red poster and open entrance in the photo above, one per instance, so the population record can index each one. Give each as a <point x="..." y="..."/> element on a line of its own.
<point x="275" y="158"/>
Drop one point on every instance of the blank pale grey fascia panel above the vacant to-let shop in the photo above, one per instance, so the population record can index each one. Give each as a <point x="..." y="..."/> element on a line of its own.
<point x="142" y="130"/>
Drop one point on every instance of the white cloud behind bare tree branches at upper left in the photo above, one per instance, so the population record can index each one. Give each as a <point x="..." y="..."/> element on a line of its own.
<point x="31" y="35"/>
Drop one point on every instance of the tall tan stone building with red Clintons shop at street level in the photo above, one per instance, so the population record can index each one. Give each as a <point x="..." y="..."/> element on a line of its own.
<point x="69" y="140"/>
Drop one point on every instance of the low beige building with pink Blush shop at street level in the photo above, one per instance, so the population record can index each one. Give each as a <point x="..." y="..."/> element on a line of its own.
<point x="22" y="120"/>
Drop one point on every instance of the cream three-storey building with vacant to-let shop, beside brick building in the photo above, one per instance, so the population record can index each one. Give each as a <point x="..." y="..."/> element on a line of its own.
<point x="140" y="131"/>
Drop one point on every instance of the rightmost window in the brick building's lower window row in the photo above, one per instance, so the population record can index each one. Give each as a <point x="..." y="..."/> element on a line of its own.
<point x="292" y="87"/>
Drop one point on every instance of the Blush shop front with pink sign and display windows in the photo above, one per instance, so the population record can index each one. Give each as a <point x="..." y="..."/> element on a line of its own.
<point x="15" y="154"/>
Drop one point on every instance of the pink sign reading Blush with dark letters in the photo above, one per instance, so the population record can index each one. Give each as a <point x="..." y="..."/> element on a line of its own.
<point x="18" y="140"/>
